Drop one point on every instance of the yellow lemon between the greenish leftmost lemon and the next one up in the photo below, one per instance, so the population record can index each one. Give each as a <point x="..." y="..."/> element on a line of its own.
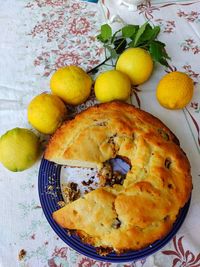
<point x="46" y="112"/>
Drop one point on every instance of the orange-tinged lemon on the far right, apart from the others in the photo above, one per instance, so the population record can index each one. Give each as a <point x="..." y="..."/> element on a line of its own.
<point x="175" y="90"/>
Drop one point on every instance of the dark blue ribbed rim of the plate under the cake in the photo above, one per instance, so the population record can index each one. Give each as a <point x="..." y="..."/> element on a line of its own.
<point x="50" y="194"/>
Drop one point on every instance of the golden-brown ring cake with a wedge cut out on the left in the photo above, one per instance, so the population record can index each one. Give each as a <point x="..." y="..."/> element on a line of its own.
<point x="141" y="210"/>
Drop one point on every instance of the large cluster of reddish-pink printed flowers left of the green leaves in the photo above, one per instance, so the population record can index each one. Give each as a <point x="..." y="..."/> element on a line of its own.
<point x="71" y="29"/>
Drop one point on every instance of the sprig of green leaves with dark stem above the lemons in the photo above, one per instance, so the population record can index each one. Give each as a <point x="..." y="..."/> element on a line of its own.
<point x="144" y="36"/>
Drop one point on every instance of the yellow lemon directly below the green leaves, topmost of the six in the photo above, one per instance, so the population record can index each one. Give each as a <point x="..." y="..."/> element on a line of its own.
<point x="137" y="64"/>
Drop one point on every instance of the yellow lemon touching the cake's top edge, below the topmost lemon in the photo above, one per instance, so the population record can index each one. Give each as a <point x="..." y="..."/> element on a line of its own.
<point x="112" y="85"/>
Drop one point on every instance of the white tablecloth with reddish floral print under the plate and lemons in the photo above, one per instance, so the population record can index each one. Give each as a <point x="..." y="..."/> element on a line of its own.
<point x="39" y="36"/>
